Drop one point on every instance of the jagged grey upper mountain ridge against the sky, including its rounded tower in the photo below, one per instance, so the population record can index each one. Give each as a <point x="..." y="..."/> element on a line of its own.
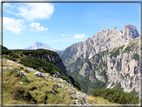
<point x="101" y="41"/>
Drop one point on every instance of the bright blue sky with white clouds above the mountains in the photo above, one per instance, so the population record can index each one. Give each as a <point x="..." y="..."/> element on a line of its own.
<point x="60" y="25"/>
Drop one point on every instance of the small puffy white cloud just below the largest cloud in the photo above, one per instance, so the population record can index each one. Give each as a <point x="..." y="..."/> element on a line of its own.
<point x="36" y="27"/>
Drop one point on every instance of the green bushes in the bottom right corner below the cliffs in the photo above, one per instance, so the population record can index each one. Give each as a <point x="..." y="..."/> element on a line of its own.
<point x="115" y="95"/>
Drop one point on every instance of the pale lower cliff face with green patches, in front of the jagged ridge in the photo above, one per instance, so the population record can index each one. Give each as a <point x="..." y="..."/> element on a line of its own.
<point x="114" y="68"/>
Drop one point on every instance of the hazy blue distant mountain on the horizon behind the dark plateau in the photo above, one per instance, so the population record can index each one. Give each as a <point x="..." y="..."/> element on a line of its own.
<point x="39" y="45"/>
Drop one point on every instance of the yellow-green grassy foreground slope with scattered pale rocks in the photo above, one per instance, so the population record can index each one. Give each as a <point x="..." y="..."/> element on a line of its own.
<point x="22" y="86"/>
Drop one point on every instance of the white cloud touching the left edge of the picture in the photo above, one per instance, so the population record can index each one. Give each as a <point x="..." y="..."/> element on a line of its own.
<point x="13" y="25"/>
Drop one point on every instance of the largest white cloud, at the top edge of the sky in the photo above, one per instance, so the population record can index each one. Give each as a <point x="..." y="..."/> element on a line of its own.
<point x="31" y="11"/>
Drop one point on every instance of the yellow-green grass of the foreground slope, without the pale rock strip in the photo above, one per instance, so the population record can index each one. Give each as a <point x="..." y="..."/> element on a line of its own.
<point x="34" y="92"/>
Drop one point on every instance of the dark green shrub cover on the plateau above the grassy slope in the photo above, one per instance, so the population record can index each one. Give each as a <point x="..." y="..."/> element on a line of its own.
<point x="36" y="62"/>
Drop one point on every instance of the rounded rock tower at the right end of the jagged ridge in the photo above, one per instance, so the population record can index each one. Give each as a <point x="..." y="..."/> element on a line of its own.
<point x="130" y="31"/>
